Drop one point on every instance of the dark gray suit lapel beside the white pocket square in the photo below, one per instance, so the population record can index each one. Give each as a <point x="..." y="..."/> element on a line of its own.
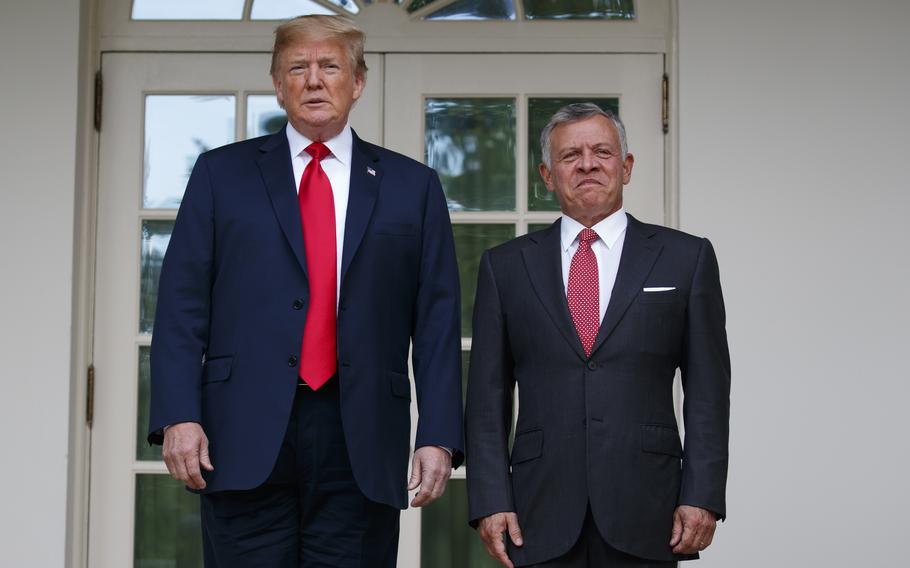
<point x="639" y="253"/>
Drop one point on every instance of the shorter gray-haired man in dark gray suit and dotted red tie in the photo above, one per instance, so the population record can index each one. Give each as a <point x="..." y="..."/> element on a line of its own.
<point x="591" y="318"/>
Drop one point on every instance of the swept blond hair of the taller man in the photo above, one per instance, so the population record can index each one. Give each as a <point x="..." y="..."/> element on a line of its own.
<point x="321" y="27"/>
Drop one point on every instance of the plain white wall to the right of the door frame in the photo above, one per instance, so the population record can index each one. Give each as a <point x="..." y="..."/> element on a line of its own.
<point x="794" y="156"/>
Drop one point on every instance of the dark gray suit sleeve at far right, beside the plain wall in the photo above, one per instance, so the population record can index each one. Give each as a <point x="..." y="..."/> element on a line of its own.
<point x="706" y="386"/>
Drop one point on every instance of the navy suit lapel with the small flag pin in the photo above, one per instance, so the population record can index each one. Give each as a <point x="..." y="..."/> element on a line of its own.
<point x="365" y="177"/>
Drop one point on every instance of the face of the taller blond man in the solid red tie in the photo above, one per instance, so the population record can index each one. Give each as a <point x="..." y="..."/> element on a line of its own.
<point x="316" y="85"/>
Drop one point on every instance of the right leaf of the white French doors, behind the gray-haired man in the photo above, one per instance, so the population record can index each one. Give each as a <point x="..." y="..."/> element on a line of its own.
<point x="476" y="118"/>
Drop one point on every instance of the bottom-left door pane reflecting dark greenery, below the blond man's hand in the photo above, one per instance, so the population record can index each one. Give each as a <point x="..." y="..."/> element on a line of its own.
<point x="168" y="533"/>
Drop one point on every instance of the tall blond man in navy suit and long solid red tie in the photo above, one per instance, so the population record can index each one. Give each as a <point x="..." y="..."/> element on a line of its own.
<point x="301" y="268"/>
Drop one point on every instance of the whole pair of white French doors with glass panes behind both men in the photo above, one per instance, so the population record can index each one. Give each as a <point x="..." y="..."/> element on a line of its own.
<point x="475" y="118"/>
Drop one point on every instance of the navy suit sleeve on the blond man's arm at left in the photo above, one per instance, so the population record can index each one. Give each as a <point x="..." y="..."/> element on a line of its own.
<point x="181" y="328"/>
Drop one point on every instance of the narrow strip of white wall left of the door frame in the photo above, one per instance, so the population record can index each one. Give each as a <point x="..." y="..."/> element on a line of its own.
<point x="38" y="63"/>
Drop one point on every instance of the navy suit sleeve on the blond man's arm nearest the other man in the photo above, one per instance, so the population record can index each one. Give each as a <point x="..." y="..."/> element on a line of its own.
<point x="437" y="331"/>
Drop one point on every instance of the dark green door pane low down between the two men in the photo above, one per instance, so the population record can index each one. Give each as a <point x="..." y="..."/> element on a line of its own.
<point x="446" y="540"/>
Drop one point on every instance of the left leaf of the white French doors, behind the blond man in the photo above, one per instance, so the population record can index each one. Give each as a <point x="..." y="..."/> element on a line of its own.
<point x="160" y="111"/>
